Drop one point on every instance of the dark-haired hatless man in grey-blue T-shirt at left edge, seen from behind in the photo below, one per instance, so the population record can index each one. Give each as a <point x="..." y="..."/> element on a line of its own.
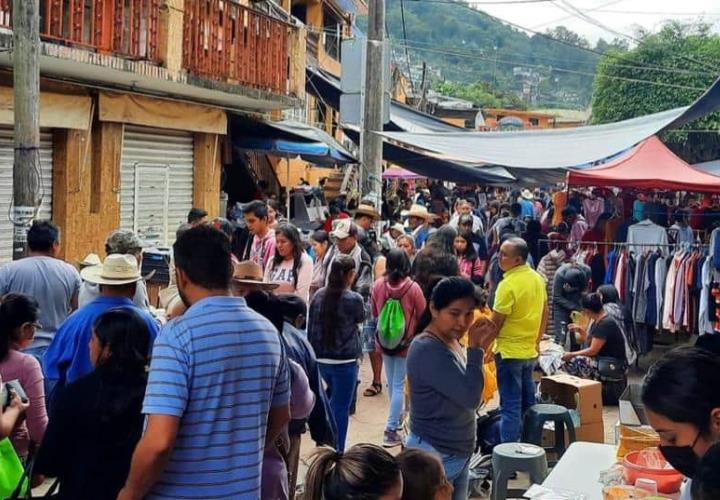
<point x="53" y="283"/>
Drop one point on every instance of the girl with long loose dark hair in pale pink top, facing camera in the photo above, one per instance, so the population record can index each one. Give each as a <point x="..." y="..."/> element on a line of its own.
<point x="291" y="267"/>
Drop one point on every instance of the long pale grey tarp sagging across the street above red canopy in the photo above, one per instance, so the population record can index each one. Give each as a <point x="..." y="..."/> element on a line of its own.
<point x="527" y="150"/>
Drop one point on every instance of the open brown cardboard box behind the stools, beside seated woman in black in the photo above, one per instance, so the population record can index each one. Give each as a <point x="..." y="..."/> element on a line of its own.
<point x="575" y="393"/>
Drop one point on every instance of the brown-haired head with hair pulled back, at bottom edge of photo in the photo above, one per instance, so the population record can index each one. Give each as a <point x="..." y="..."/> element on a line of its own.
<point x="364" y="472"/>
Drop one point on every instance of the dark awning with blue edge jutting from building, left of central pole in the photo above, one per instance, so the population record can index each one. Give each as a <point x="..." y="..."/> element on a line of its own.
<point x="288" y="139"/>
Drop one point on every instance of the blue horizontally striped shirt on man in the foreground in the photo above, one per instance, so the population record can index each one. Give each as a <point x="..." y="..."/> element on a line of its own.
<point x="219" y="368"/>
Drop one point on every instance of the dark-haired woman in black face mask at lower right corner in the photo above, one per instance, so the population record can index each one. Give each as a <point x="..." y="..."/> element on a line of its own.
<point x="682" y="404"/>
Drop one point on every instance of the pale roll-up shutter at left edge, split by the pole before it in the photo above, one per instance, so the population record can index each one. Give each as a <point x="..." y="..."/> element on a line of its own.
<point x="6" y="185"/>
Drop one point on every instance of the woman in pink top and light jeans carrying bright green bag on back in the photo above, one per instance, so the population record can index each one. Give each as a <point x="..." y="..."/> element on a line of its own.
<point x="397" y="285"/>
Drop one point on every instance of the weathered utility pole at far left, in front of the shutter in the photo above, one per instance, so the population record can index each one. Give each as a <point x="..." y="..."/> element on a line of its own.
<point x="26" y="85"/>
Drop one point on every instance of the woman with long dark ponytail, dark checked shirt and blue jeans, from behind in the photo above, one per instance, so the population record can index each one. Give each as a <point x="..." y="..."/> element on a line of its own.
<point x="335" y="313"/>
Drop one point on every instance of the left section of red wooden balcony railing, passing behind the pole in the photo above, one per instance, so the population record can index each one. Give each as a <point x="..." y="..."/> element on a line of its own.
<point x="128" y="28"/>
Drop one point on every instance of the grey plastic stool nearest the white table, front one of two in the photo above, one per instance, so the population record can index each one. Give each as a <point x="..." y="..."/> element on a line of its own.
<point x="509" y="458"/>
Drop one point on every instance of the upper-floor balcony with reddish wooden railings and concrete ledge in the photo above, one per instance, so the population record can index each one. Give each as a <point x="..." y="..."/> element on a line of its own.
<point x="214" y="51"/>
